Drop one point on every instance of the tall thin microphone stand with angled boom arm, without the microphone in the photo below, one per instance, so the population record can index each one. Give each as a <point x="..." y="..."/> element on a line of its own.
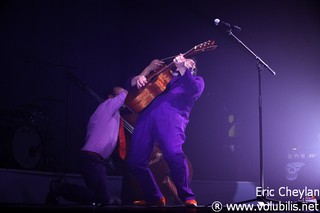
<point x="260" y="66"/>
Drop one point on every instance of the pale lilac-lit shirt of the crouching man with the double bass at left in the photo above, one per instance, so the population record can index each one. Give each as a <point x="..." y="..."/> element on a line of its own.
<point x="103" y="126"/>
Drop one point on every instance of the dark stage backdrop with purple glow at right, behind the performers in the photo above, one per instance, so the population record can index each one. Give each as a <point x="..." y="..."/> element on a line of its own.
<point x="56" y="55"/>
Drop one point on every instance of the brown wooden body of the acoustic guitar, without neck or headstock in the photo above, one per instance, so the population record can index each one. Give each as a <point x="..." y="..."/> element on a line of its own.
<point x="139" y="99"/>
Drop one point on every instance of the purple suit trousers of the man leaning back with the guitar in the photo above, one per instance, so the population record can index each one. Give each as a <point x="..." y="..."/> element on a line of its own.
<point x="166" y="127"/>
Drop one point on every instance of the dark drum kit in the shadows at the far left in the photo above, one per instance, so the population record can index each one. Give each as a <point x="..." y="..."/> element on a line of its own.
<point x="22" y="134"/>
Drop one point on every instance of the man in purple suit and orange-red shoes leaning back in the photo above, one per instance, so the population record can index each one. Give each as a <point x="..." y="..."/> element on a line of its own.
<point x="165" y="120"/>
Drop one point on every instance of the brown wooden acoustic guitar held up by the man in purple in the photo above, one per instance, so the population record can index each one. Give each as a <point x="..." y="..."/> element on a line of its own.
<point x="138" y="99"/>
